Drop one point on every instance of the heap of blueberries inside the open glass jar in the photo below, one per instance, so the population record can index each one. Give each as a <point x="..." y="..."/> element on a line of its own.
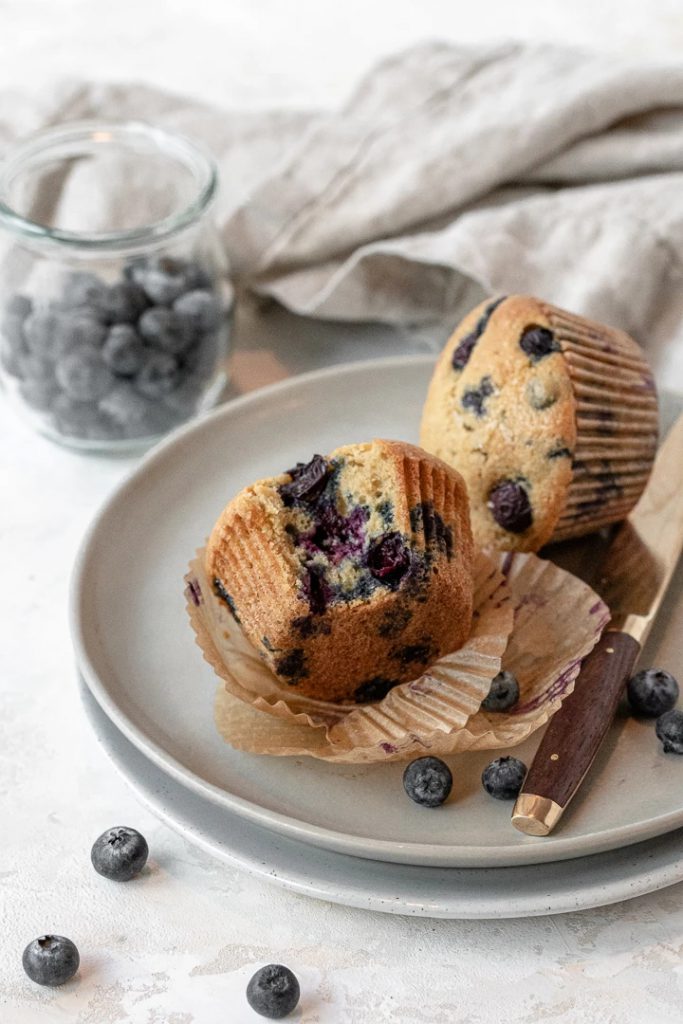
<point x="117" y="362"/>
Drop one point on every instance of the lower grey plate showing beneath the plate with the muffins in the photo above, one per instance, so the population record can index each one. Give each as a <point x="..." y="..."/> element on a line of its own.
<point x="425" y="892"/>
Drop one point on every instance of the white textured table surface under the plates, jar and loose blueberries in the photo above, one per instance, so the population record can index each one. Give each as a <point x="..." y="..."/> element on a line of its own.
<point x="179" y="947"/>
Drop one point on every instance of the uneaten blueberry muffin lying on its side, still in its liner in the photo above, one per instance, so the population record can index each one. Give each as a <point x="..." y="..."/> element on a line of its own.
<point x="551" y="419"/>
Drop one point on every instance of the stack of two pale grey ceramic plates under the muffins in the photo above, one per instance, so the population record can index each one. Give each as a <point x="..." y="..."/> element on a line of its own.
<point x="346" y="834"/>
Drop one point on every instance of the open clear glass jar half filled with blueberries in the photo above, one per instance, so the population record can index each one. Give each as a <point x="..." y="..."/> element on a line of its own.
<point x="115" y="302"/>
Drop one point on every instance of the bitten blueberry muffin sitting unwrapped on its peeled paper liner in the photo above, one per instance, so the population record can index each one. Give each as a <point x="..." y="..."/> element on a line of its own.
<point x="350" y="574"/>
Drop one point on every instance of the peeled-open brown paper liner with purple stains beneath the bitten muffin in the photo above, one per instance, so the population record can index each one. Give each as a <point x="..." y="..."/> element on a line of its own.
<point x="531" y="618"/>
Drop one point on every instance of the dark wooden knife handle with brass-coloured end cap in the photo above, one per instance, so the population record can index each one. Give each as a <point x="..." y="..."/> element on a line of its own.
<point x="575" y="735"/>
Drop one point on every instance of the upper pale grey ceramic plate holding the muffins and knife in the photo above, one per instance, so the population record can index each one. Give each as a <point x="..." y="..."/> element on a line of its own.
<point x="137" y="651"/>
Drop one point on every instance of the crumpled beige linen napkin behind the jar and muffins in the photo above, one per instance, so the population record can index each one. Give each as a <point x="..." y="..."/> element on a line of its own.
<point x="450" y="173"/>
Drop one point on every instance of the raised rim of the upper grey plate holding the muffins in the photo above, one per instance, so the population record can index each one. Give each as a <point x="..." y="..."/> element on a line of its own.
<point x="424" y="855"/>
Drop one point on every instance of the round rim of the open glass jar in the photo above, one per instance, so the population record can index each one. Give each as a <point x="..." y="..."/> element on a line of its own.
<point x="124" y="134"/>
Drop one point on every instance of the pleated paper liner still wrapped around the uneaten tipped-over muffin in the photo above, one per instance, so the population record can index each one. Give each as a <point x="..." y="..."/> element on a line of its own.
<point x="617" y="423"/>
